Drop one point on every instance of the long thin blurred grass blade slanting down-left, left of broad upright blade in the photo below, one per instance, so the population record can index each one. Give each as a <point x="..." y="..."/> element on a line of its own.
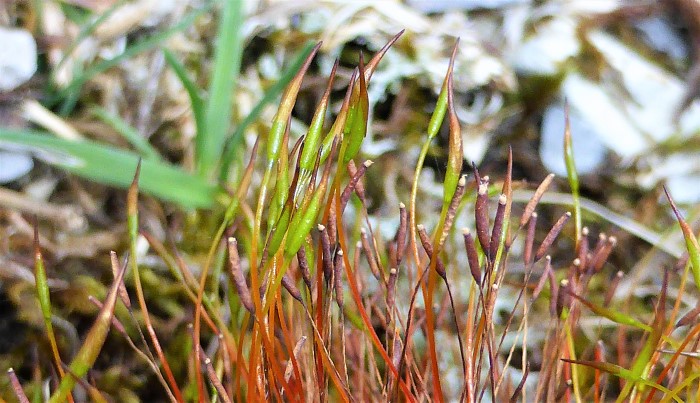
<point x="146" y="44"/>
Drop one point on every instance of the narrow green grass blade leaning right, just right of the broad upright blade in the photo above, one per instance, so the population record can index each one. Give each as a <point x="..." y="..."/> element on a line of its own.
<point x="235" y="139"/>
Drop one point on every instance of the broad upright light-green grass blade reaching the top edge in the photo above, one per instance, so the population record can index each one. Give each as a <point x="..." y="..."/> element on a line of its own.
<point x="227" y="63"/>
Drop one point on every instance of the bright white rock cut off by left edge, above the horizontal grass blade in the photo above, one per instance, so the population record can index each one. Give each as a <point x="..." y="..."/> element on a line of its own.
<point x="17" y="58"/>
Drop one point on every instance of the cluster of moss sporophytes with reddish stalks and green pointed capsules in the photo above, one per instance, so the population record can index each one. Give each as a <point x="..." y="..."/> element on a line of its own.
<point x="294" y="303"/>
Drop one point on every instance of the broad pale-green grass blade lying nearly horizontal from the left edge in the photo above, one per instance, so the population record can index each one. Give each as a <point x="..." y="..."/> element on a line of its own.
<point x="112" y="166"/>
